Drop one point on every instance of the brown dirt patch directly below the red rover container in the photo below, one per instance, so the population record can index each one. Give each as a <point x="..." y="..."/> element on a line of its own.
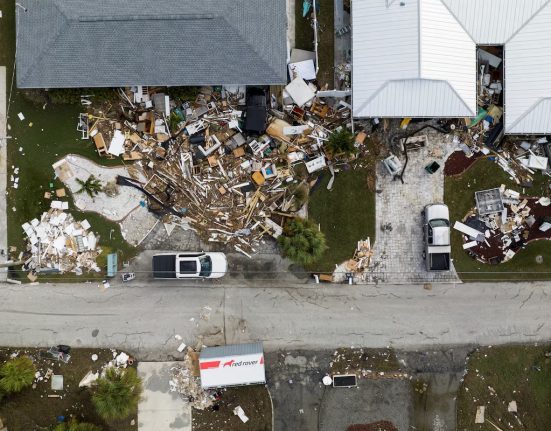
<point x="255" y="402"/>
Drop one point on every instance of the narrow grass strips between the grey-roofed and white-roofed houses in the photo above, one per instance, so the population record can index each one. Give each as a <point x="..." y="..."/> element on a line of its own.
<point x="304" y="38"/>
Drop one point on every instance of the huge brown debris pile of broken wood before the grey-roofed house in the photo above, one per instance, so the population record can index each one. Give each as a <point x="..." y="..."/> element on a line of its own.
<point x="228" y="169"/>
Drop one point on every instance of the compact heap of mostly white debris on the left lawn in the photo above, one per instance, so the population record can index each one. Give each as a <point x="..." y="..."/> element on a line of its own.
<point x="59" y="243"/>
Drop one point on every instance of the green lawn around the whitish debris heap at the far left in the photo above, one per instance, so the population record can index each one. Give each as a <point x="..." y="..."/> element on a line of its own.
<point x="51" y="135"/>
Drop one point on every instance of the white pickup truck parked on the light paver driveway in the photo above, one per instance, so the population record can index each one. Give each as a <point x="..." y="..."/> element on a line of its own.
<point x="436" y="235"/>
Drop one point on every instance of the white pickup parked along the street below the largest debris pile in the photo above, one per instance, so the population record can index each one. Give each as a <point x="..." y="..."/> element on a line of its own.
<point x="189" y="265"/>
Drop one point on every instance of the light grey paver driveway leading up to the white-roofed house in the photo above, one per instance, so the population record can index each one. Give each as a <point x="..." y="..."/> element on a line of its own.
<point x="399" y="250"/>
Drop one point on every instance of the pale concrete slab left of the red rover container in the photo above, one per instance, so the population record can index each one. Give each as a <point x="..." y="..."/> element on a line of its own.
<point x="160" y="409"/>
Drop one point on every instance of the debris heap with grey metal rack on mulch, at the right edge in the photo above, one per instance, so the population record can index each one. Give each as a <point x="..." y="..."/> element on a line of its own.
<point x="502" y="223"/>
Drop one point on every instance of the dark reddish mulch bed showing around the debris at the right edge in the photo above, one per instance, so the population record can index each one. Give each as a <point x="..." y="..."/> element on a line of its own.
<point x="494" y="253"/>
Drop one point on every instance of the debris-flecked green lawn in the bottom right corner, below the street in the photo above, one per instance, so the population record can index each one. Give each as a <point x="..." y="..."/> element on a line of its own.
<point x="515" y="373"/>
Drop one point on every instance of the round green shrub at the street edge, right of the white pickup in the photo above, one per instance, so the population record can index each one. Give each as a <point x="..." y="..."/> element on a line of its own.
<point x="302" y="241"/>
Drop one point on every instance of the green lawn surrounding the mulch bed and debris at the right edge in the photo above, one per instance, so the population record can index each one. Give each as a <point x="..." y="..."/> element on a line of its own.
<point x="459" y="196"/>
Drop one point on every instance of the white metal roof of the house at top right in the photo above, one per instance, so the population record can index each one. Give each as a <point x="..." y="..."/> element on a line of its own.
<point x="419" y="59"/>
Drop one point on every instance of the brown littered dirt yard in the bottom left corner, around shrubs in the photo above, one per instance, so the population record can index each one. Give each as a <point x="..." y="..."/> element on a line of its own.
<point x="31" y="409"/>
